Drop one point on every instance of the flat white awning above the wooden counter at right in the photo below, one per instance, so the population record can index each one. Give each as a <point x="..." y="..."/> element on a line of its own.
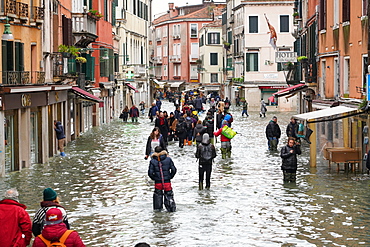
<point x="336" y="112"/>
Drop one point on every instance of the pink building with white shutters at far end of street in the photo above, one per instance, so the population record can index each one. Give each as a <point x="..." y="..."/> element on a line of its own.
<point x="176" y="41"/>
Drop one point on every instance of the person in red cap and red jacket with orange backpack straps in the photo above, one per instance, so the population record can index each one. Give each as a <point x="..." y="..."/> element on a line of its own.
<point x="54" y="230"/>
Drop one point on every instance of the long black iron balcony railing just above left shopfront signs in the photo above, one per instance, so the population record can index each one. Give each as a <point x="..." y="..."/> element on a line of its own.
<point x="22" y="77"/>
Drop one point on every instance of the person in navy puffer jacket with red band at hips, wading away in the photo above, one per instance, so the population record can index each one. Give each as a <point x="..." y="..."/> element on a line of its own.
<point x="162" y="170"/>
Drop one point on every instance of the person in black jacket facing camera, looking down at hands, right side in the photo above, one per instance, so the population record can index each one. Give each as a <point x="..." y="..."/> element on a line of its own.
<point x="289" y="155"/>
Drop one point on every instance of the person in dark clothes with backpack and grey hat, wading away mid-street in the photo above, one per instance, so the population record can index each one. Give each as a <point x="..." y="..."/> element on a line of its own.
<point x="206" y="152"/>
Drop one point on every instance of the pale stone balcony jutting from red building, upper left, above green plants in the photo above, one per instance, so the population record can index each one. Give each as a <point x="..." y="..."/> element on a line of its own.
<point x="84" y="29"/>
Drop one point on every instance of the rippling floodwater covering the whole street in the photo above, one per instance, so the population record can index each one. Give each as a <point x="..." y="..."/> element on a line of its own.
<point x="104" y="186"/>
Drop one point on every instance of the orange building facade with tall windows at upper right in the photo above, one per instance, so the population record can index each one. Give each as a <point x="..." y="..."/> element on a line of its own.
<point x="342" y="53"/>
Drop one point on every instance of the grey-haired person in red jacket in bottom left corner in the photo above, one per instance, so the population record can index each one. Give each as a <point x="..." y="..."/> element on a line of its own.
<point x="15" y="223"/>
